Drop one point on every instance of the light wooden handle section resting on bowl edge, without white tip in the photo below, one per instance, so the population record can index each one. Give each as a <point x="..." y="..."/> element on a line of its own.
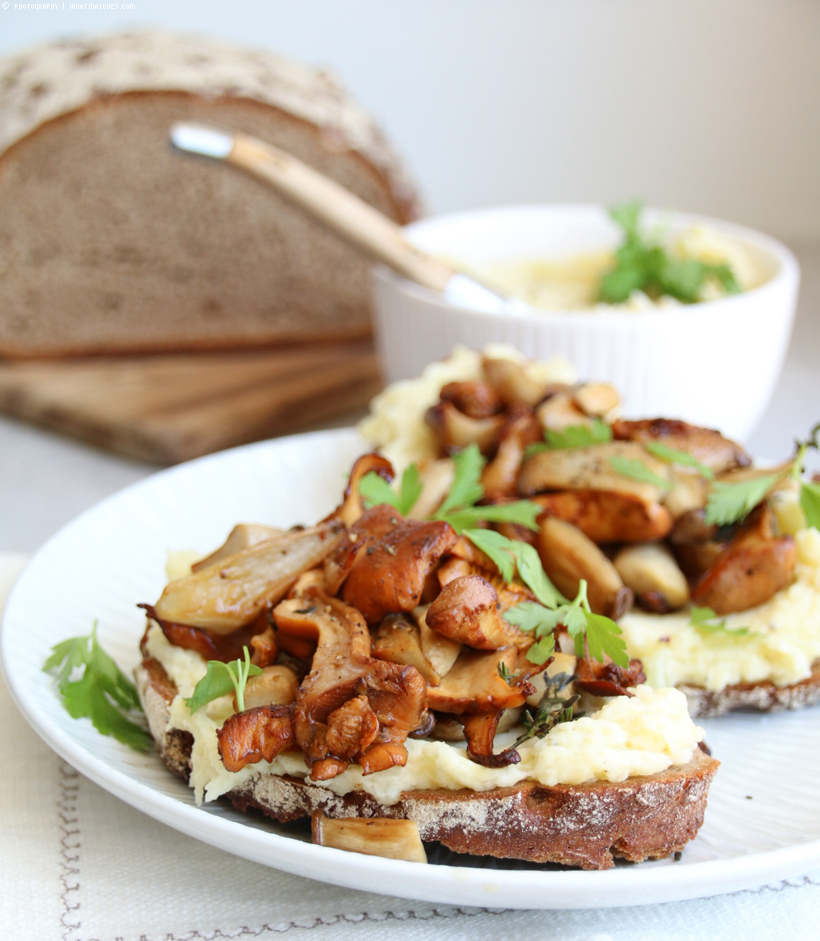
<point x="348" y="216"/>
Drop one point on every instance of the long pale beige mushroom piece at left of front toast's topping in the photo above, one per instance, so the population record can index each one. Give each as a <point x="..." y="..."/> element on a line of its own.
<point x="233" y="591"/>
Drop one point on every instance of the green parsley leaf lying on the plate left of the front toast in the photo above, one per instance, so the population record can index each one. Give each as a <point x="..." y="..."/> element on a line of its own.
<point x="101" y="692"/>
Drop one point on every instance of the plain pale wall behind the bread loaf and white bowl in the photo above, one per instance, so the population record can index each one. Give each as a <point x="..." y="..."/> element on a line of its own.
<point x="705" y="105"/>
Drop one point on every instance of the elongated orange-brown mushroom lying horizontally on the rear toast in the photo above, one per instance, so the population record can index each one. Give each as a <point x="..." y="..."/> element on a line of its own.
<point x="605" y="516"/>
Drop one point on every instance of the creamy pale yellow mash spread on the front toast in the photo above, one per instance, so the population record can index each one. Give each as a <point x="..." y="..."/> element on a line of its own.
<point x="627" y="737"/>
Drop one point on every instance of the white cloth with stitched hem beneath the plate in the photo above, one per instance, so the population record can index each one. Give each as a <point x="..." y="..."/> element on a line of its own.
<point x="80" y="865"/>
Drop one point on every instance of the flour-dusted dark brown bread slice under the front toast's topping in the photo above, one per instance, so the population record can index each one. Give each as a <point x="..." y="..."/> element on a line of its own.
<point x="586" y="826"/>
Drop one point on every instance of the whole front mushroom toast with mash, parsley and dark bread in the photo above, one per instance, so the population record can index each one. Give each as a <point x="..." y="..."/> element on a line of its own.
<point x="405" y="671"/>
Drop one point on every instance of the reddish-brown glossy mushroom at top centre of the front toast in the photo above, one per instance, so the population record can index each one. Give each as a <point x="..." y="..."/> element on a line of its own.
<point x="390" y="571"/>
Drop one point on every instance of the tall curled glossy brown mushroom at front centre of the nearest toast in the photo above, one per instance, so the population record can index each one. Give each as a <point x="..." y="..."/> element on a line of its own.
<point x="343" y="670"/>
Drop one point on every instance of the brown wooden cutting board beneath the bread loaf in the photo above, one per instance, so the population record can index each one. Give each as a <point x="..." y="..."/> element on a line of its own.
<point x="170" y="408"/>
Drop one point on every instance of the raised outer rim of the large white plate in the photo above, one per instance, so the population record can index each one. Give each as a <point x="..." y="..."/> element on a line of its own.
<point x="456" y="885"/>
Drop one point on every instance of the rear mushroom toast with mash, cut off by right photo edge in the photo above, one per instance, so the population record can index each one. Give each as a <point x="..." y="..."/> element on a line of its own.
<point x="710" y="566"/>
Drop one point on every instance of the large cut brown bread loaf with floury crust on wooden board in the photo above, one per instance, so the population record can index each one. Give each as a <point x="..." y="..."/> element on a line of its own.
<point x="112" y="242"/>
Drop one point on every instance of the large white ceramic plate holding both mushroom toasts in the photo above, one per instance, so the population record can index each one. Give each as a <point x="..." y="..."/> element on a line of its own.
<point x="762" y="823"/>
